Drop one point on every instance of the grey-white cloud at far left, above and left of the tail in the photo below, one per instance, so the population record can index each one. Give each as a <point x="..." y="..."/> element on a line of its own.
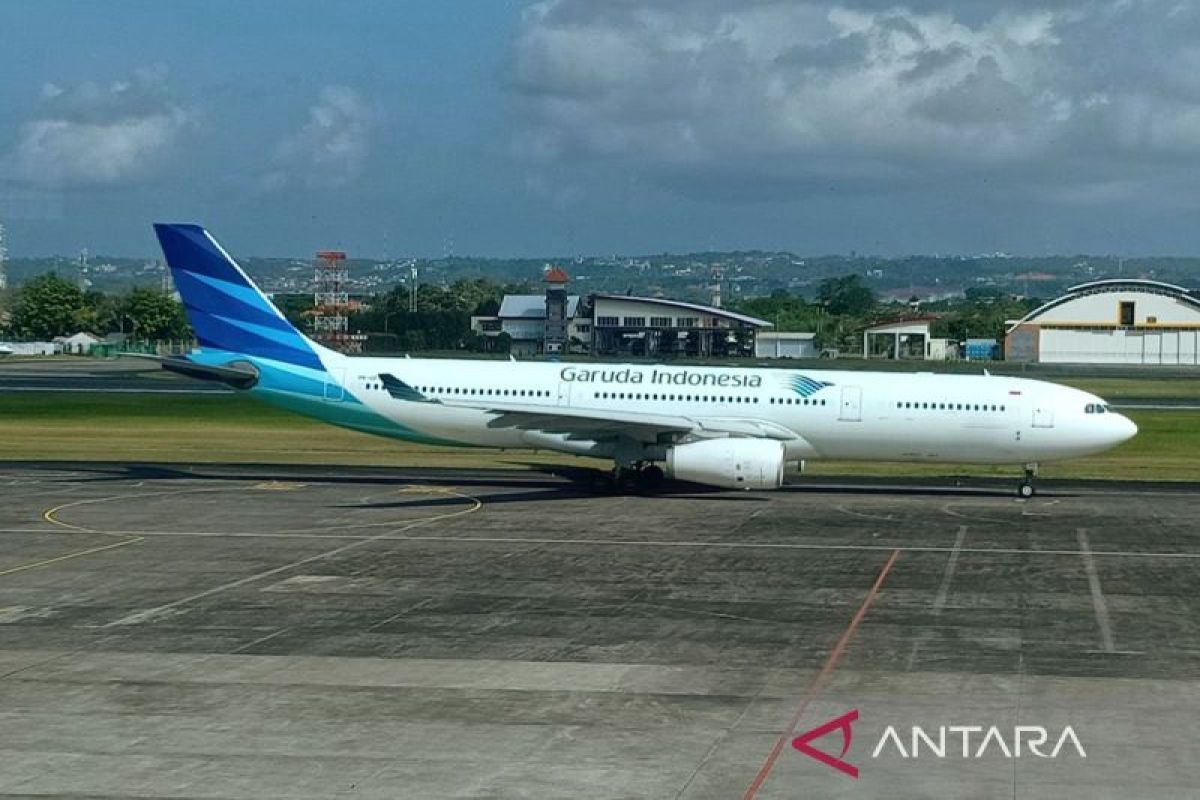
<point x="94" y="135"/>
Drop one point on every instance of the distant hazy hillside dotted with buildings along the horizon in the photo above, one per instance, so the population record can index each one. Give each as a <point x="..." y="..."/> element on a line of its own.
<point x="685" y="276"/>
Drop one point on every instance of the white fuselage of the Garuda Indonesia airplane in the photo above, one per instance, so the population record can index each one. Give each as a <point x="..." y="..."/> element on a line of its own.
<point x="825" y="414"/>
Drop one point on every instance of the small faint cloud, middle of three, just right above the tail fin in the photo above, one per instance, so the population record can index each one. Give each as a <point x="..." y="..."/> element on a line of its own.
<point x="331" y="148"/>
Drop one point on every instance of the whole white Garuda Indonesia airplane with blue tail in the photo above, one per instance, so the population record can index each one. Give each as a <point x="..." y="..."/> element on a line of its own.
<point x="728" y="428"/>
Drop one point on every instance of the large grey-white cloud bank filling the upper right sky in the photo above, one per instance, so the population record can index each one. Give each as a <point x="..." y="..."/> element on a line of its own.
<point x="823" y="91"/>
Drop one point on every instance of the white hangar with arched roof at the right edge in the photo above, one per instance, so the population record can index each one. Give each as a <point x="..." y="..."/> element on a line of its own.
<point x="1112" y="322"/>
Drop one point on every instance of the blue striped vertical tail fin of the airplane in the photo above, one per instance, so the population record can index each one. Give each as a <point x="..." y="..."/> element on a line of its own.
<point x="226" y="309"/>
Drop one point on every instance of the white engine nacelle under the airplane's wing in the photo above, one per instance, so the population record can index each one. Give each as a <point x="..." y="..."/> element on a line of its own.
<point x="729" y="464"/>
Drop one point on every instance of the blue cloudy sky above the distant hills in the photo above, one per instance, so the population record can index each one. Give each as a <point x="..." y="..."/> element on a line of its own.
<point x="562" y="128"/>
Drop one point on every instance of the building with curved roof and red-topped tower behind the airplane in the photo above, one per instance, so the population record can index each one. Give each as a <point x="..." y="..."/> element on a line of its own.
<point x="619" y="326"/>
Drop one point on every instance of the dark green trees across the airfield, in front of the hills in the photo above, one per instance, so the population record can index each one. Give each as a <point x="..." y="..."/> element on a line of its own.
<point x="50" y="306"/>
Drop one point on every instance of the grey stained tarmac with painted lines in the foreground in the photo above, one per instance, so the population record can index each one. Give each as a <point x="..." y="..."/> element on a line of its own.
<point x="178" y="631"/>
